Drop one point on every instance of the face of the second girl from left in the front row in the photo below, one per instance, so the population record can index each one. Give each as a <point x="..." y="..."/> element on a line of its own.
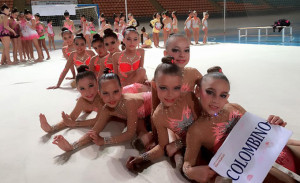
<point x="110" y="92"/>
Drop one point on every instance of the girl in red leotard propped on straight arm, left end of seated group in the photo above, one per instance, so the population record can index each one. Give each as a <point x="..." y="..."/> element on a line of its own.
<point x="77" y="58"/>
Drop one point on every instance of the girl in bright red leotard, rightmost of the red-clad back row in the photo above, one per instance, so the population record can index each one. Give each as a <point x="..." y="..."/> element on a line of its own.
<point x="129" y="64"/>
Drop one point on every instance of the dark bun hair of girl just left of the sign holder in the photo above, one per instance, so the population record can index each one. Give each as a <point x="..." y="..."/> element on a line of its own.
<point x="168" y="67"/>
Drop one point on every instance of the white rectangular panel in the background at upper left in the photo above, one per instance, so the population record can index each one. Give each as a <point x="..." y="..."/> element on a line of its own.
<point x="53" y="10"/>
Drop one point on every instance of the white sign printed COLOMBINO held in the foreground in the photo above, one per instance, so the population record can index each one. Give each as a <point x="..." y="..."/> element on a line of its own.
<point x="250" y="150"/>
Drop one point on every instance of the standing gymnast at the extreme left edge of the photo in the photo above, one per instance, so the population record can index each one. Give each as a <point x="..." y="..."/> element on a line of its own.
<point x="5" y="32"/>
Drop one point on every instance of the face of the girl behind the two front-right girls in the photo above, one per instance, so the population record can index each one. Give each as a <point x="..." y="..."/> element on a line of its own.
<point x="179" y="49"/>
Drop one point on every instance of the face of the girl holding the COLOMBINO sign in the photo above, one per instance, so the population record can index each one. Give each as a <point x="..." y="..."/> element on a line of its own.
<point x="213" y="95"/>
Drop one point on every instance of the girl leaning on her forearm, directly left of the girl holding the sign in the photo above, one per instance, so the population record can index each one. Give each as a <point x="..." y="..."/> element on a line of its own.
<point x="176" y="112"/>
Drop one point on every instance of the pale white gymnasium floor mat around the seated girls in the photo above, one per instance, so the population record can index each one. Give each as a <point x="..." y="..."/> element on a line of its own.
<point x="264" y="80"/>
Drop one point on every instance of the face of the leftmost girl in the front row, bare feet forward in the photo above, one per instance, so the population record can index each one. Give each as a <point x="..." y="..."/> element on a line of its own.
<point x="88" y="88"/>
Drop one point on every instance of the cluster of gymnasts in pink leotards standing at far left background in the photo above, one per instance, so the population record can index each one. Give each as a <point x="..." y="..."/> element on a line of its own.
<point x="24" y="31"/>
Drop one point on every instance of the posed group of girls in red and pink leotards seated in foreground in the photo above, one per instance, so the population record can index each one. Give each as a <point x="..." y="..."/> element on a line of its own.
<point x="179" y="113"/>
